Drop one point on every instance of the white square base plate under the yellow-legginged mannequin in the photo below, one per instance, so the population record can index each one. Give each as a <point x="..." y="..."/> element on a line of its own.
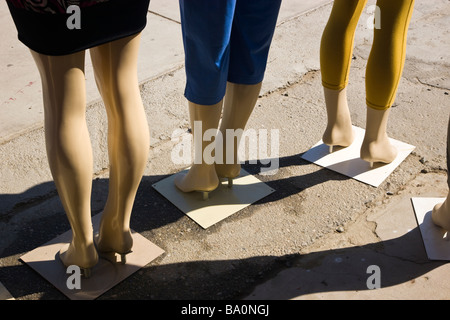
<point x="347" y="161"/>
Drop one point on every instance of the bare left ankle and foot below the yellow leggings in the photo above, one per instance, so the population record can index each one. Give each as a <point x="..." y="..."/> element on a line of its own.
<point x="339" y="131"/>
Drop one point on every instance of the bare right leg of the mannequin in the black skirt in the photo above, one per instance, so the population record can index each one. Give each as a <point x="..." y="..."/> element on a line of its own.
<point x="115" y="67"/>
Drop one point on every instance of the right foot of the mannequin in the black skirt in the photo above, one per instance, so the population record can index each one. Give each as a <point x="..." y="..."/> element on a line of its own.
<point x="112" y="240"/>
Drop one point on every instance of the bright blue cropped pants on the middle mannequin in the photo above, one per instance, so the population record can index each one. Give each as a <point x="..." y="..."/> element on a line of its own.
<point x="225" y="40"/>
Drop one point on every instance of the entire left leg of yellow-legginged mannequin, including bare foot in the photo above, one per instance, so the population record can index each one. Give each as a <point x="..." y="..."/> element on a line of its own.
<point x="335" y="59"/>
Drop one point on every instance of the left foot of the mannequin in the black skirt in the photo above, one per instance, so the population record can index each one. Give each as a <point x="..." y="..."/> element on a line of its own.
<point x="83" y="256"/>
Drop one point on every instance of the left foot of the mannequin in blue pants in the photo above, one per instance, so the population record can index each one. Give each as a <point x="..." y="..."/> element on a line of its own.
<point x="201" y="178"/>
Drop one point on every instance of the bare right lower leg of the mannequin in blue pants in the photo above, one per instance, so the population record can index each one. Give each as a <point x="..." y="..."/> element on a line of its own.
<point x="240" y="100"/>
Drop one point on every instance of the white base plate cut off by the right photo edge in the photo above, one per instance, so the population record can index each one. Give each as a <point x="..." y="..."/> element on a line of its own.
<point x="435" y="239"/>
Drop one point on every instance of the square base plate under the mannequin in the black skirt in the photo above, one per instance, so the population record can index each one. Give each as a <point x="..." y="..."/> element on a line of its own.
<point x="105" y="275"/>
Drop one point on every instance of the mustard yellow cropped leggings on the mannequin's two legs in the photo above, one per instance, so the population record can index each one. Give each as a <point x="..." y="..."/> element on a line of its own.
<point x="387" y="57"/>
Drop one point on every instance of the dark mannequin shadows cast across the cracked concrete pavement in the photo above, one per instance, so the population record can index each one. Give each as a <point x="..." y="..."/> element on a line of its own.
<point x="325" y="271"/>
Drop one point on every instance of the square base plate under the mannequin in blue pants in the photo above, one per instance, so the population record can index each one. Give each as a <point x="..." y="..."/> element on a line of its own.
<point x="222" y="202"/>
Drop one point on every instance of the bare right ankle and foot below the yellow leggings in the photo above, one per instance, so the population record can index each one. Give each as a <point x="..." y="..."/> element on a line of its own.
<point x="376" y="146"/>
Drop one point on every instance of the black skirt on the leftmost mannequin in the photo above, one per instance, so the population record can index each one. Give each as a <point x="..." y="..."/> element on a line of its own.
<point x="60" y="33"/>
